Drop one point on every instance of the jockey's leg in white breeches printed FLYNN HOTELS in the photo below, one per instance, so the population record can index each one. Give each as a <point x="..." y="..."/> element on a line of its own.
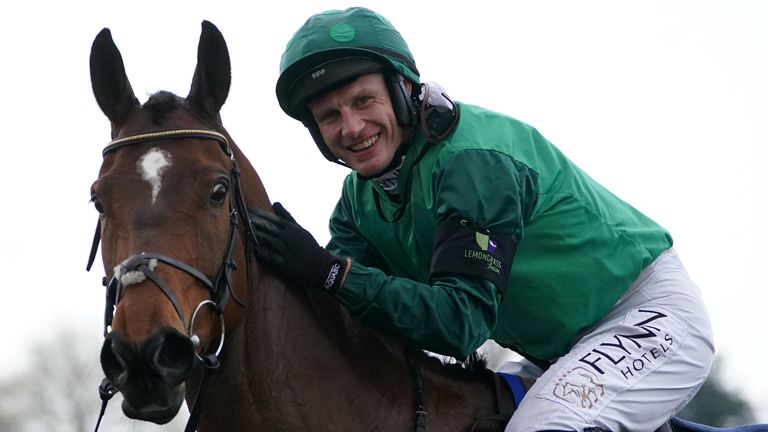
<point x="633" y="370"/>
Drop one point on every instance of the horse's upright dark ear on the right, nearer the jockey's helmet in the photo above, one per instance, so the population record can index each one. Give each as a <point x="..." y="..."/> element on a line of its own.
<point x="210" y="84"/>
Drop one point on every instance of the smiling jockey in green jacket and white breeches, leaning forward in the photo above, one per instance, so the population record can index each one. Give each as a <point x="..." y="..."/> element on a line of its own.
<point x="457" y="225"/>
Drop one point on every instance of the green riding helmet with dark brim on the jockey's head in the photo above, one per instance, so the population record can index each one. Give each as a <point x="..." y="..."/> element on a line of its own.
<point x="335" y="47"/>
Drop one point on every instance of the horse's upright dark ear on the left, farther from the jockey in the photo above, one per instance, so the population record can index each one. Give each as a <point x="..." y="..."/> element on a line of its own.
<point x="110" y="84"/>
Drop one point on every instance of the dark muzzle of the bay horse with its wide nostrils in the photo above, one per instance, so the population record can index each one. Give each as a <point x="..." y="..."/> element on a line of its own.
<point x="150" y="375"/>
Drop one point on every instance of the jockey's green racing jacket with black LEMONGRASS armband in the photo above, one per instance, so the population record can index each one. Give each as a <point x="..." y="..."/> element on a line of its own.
<point x="498" y="235"/>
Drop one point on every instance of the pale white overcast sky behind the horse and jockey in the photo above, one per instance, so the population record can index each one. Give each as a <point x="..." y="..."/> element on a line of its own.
<point x="664" y="102"/>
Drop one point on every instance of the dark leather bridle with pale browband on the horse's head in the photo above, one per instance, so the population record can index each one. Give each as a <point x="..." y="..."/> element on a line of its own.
<point x="143" y="264"/>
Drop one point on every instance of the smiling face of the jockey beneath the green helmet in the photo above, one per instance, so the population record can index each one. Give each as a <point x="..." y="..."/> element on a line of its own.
<point x="358" y="123"/>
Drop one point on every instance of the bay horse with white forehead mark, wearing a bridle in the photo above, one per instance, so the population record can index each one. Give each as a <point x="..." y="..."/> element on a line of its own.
<point x="191" y="317"/>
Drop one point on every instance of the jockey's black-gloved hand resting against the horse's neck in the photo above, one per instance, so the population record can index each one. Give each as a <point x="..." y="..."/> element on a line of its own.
<point x="291" y="251"/>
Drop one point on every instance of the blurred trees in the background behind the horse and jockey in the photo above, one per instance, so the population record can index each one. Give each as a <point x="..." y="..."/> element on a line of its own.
<point x="58" y="392"/>
